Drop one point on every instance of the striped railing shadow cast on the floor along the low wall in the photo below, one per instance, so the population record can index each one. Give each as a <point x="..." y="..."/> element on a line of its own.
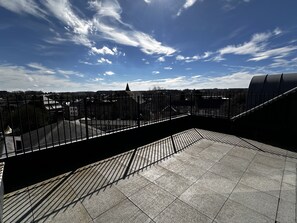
<point x="48" y="198"/>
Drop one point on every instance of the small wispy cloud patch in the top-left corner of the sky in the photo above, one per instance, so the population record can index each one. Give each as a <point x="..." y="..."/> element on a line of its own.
<point x="23" y="7"/>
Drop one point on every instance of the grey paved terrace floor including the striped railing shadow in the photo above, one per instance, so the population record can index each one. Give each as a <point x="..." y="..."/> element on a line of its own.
<point x="212" y="177"/>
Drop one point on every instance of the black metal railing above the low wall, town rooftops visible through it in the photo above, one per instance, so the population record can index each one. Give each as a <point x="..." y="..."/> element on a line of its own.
<point x="31" y="122"/>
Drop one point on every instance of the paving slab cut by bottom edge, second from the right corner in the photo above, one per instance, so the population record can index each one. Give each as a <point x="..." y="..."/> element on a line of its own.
<point x="233" y="212"/>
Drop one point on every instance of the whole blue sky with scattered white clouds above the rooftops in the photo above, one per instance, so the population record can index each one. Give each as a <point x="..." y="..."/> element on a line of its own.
<point x="64" y="45"/>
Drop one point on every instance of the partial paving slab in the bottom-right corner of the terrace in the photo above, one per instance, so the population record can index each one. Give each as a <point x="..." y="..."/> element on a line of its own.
<point x="286" y="212"/>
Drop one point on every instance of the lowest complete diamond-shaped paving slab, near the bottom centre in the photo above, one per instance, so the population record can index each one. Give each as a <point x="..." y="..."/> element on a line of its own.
<point x="152" y="199"/>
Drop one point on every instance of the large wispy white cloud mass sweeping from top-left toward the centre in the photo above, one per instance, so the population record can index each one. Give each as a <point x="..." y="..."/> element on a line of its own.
<point x="106" y="23"/>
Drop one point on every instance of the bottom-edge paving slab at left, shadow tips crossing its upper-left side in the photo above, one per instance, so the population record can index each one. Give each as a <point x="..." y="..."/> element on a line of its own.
<point x="74" y="213"/>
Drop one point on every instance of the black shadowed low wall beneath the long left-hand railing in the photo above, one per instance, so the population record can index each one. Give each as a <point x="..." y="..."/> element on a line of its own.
<point x="30" y="168"/>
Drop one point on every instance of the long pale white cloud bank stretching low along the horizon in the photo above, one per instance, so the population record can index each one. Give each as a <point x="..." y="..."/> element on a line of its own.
<point x="22" y="78"/>
